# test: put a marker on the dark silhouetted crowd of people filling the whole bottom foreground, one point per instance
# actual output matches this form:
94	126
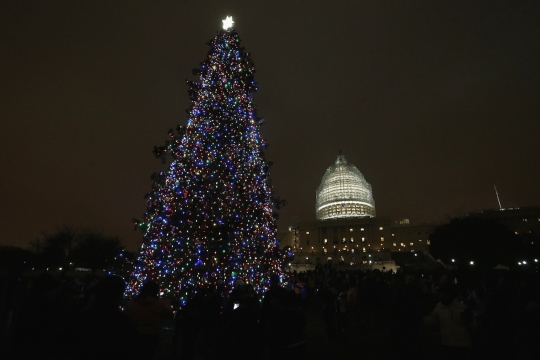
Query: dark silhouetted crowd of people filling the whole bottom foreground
477	315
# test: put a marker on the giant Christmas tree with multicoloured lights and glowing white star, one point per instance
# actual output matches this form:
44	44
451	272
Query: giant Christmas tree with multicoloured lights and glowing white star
210	217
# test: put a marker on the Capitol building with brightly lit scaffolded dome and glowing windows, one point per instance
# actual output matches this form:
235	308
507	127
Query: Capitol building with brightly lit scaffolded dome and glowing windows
346	229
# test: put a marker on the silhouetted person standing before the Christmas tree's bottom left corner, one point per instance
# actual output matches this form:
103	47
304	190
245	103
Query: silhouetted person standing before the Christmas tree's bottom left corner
150	314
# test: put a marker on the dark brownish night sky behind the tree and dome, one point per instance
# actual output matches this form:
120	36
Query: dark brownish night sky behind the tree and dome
433	101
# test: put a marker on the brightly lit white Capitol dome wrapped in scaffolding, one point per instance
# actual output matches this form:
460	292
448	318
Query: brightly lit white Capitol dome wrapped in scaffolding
344	193
